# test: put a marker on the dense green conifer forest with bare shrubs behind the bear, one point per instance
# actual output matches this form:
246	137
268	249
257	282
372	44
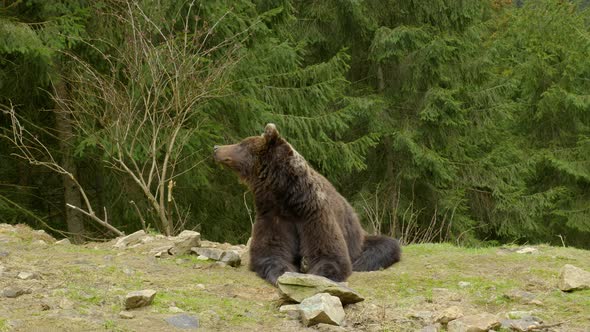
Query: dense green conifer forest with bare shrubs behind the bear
441	120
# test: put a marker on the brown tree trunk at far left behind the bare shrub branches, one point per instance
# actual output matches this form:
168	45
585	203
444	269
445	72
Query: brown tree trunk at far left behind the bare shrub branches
63	125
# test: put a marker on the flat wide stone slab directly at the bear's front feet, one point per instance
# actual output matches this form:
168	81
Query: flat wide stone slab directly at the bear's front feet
298	286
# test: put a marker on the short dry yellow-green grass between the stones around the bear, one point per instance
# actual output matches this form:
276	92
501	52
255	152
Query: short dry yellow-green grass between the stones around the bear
82	286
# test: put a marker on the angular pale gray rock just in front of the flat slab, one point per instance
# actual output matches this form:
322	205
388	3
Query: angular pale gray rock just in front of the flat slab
321	308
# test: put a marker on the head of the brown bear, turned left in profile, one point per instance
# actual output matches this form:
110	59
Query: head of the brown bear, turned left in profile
253	156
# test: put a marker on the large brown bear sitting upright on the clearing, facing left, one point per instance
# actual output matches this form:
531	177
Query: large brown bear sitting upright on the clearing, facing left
299	214
